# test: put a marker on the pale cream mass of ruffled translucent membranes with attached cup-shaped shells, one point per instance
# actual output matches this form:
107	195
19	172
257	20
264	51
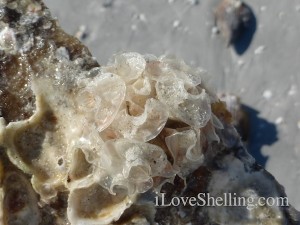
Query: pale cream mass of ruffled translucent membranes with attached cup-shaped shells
107	132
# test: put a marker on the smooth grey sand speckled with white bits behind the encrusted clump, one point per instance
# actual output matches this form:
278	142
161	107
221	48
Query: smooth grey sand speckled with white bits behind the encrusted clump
266	75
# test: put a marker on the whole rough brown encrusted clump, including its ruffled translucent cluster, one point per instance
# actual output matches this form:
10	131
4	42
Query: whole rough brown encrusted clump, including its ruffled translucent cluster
85	144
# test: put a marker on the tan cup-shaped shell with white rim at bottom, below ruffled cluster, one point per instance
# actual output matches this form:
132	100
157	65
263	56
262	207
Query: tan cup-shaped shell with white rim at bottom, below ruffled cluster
95	205
